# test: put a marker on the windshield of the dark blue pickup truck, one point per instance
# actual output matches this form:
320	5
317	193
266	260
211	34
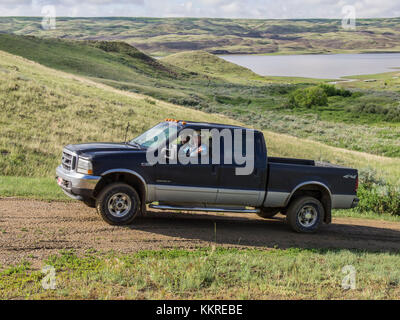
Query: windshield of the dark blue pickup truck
157	135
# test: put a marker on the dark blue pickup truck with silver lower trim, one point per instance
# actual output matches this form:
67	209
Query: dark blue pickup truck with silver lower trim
192	166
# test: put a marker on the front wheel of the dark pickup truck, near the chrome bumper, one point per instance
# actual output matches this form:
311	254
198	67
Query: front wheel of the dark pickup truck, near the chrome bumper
118	196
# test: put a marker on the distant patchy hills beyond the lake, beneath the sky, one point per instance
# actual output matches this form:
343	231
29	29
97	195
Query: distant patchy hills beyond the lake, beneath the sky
159	36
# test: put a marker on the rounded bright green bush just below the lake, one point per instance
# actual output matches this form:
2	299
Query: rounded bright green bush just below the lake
309	97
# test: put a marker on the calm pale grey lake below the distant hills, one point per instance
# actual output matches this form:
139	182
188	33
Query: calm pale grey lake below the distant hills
318	66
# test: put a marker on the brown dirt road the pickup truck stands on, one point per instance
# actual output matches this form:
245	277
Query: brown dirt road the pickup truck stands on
33	230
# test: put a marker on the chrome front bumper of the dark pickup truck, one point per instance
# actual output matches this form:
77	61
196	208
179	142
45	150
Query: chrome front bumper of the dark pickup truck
76	185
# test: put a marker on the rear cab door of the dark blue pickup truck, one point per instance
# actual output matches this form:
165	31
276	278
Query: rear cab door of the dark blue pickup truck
248	190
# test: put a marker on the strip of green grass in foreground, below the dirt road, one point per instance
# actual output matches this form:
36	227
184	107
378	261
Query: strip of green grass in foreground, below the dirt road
208	274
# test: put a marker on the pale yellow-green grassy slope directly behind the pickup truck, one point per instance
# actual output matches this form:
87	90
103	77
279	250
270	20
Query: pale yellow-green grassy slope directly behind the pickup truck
44	109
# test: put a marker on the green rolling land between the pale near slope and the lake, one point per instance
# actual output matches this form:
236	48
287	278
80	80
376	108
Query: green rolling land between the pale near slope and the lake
365	121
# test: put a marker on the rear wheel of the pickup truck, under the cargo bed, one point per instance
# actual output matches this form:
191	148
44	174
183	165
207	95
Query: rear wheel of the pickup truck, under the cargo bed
296	218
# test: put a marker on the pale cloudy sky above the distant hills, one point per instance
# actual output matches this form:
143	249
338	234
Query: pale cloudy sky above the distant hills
259	9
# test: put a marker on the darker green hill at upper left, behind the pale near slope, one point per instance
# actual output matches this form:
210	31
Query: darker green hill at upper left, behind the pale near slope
115	61
